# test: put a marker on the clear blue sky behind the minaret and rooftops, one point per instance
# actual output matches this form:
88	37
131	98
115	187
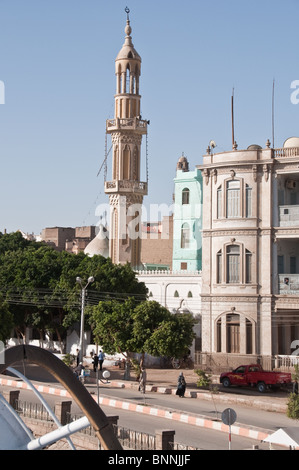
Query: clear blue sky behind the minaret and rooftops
57	65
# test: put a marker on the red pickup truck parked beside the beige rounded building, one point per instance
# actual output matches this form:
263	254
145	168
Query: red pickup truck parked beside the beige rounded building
254	375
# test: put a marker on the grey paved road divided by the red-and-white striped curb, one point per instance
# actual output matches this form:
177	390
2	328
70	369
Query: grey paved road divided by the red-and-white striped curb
187	434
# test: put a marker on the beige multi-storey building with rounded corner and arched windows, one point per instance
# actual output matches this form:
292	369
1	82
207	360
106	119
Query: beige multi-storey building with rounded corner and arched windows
250	278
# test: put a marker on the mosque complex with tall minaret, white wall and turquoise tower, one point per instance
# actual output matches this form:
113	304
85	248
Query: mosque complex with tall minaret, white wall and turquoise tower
160	261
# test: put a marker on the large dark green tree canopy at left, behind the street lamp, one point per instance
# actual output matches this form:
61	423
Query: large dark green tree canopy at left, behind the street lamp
39	283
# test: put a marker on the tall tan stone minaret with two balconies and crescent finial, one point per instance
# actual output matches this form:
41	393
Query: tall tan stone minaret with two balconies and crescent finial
126	191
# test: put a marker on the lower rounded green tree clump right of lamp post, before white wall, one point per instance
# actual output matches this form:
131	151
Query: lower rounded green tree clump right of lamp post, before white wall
143	328
